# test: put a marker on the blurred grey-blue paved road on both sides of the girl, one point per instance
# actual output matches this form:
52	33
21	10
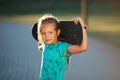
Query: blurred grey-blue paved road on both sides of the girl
20	58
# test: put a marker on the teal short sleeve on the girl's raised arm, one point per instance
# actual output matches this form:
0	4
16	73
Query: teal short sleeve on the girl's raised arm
63	48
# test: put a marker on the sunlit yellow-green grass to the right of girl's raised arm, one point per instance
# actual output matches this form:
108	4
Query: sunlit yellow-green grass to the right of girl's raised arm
106	28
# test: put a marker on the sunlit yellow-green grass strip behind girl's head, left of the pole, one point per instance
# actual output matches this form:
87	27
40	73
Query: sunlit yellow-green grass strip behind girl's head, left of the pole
30	19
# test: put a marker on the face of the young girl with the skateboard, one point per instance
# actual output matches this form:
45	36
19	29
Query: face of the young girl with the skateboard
49	33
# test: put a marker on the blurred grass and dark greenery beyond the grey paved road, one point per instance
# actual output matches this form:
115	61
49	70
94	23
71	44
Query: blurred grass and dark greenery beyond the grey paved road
103	16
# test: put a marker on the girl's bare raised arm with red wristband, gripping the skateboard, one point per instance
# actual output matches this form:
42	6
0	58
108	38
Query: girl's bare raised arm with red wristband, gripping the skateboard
73	49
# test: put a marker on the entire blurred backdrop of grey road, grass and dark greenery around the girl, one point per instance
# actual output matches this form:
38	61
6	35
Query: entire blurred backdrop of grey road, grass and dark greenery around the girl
20	57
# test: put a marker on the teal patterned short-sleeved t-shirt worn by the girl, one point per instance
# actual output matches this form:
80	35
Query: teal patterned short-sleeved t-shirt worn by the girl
54	62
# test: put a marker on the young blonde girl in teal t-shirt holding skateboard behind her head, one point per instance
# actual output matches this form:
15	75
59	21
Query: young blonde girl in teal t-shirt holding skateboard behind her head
55	53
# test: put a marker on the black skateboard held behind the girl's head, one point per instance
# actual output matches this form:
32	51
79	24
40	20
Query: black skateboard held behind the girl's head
70	32
